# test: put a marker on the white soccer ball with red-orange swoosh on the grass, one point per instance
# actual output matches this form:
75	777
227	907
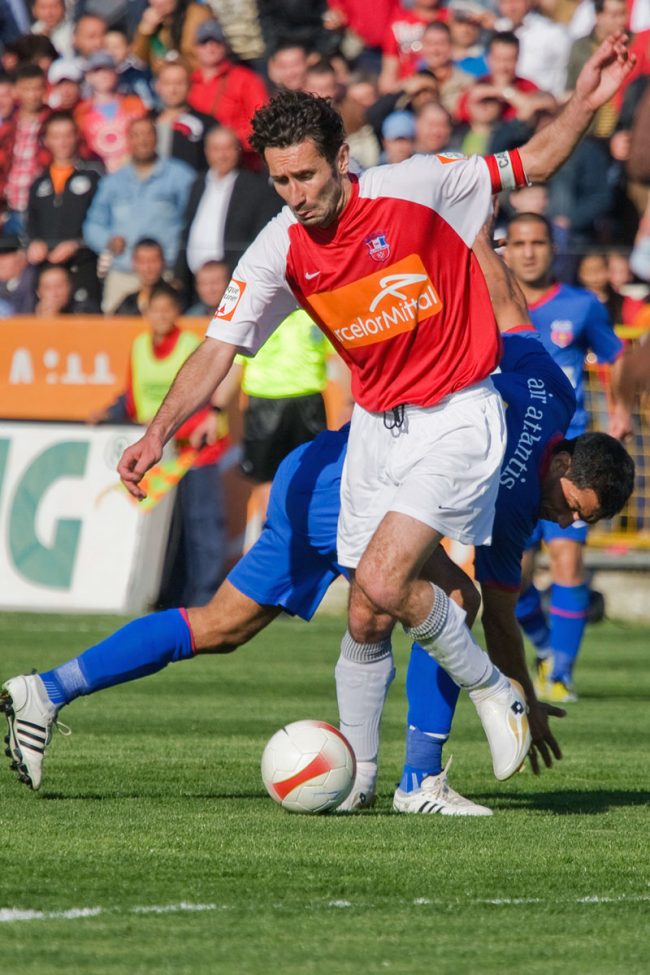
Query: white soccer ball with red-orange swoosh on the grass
308	766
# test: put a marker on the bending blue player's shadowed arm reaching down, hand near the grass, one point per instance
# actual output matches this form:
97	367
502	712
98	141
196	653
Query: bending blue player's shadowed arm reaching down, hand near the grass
506	649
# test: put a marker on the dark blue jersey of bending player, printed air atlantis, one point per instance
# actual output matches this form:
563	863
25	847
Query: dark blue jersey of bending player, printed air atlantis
539	402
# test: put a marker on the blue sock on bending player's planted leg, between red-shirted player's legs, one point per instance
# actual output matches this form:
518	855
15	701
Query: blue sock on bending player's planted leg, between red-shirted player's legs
432	697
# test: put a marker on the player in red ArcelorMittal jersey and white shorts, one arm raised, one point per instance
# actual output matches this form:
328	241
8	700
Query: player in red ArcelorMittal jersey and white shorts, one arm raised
383	264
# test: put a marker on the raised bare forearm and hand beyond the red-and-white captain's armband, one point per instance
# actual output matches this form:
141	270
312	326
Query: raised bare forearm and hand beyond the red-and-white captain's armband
601	77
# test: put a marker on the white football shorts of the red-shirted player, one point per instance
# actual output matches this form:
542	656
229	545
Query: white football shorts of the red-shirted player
441	466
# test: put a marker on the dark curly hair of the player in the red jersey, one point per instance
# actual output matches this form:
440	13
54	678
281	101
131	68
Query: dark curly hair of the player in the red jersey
293	116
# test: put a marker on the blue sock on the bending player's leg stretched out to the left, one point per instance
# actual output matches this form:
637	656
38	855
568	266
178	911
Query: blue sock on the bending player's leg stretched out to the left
140	648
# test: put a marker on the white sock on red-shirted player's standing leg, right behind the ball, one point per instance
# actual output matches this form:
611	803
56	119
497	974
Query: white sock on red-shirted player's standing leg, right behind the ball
361	690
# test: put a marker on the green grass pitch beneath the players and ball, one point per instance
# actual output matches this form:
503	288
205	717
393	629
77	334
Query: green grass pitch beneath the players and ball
157	801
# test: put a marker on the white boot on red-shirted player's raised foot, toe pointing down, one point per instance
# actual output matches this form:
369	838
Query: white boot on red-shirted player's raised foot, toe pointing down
504	715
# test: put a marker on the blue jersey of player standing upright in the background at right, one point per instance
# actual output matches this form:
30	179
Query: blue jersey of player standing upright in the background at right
571	322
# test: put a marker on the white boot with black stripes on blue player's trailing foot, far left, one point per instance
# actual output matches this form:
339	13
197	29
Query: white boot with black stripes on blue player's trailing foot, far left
31	716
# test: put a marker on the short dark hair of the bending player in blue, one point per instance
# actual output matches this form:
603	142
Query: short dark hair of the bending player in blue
602	463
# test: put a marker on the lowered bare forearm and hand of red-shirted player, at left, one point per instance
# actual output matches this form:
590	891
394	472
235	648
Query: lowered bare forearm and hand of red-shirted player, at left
194	385
